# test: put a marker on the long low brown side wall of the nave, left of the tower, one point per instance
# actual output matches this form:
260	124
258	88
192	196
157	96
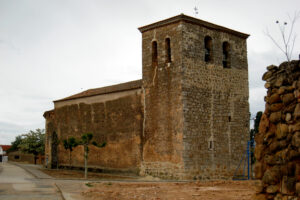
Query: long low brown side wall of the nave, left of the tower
118	122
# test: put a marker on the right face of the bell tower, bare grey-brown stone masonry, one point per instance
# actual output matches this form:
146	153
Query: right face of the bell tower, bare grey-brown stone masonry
216	109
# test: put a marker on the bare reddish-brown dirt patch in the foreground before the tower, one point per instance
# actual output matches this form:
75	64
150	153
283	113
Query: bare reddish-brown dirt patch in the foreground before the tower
214	190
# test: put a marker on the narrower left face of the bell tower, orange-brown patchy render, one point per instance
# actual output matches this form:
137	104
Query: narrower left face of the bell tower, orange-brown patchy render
162	141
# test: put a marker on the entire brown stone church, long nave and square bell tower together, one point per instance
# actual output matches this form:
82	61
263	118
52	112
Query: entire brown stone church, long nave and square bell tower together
187	118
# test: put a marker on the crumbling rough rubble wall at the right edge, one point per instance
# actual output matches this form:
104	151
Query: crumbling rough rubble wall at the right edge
278	141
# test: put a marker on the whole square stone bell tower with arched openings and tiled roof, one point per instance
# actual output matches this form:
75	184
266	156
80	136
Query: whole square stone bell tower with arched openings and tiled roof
195	93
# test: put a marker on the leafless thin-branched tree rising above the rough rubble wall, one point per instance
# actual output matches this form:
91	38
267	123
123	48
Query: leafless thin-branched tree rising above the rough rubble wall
288	36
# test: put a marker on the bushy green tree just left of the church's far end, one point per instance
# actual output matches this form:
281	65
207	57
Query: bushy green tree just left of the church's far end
33	142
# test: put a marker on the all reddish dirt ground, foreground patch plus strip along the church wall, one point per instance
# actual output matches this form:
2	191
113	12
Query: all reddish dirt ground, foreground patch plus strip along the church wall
117	187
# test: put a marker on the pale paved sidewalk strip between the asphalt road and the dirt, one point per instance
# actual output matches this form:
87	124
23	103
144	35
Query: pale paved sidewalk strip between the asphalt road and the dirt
69	189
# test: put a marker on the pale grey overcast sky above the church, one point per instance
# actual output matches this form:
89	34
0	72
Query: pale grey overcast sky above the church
50	49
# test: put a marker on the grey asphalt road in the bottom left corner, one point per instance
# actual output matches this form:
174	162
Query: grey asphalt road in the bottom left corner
16	183
